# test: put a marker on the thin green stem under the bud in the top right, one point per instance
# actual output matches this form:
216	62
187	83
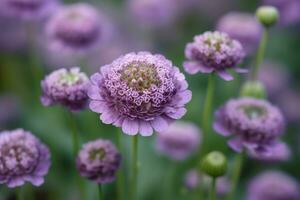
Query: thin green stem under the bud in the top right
260	53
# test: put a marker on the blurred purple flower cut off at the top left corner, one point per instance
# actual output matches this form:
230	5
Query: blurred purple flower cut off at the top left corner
27	9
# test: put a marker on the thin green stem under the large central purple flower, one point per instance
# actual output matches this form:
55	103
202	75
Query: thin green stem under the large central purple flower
134	168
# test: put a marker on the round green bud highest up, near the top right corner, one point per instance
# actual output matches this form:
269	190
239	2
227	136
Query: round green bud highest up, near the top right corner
267	15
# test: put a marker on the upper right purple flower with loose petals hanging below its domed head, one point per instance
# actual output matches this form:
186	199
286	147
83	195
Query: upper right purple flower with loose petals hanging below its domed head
213	52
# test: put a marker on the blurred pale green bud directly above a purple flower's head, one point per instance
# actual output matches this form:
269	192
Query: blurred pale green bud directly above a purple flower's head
254	89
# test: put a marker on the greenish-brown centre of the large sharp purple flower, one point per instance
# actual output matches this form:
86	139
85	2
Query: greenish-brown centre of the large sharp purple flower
140	76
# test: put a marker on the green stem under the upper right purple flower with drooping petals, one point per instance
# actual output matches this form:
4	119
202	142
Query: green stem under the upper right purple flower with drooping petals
206	117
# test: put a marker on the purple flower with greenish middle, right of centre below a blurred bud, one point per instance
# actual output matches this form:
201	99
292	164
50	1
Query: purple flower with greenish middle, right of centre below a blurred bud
255	124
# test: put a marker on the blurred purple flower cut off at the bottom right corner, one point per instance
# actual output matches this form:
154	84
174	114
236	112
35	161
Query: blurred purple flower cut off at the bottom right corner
273	185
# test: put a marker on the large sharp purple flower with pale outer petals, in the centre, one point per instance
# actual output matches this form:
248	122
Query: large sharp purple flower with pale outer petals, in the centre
139	92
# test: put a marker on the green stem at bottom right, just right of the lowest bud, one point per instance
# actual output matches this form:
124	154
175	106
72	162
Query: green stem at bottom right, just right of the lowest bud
237	168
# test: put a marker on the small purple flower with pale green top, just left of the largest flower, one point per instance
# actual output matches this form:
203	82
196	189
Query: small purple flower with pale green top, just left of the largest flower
65	87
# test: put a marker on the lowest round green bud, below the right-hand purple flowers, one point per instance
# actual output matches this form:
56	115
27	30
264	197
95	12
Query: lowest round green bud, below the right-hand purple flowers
214	164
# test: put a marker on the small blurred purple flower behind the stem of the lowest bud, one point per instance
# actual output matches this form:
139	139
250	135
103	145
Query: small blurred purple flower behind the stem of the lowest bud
193	178
